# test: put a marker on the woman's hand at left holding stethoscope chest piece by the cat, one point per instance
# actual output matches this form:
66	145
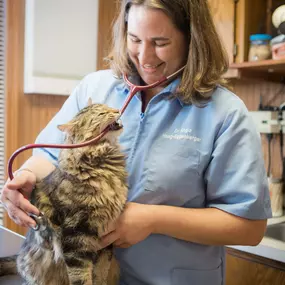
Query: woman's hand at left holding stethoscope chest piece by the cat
15	195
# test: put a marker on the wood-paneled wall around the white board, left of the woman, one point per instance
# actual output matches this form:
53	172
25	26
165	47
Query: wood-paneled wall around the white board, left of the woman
26	115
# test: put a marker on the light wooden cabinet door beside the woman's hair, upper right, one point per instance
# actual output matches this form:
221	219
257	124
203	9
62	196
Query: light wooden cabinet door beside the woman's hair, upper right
223	15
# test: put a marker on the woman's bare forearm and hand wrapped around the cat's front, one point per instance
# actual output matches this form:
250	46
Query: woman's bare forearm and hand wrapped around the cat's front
209	226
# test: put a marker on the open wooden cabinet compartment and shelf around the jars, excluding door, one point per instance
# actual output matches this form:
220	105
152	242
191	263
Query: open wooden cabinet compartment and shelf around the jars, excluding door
254	16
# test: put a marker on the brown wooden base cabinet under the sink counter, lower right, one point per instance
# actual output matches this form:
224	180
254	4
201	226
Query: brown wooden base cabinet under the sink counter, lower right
248	269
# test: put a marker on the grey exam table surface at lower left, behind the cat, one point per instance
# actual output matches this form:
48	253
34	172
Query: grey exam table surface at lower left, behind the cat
10	244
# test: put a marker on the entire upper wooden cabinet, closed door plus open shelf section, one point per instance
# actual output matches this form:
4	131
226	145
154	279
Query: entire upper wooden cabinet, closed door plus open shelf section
235	21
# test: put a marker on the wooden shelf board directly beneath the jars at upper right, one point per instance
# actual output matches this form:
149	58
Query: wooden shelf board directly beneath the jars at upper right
271	70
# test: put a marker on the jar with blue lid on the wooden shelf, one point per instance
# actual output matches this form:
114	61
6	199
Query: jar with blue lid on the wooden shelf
259	47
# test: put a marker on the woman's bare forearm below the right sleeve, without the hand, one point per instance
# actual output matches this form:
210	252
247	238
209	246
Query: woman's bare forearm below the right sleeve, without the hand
207	226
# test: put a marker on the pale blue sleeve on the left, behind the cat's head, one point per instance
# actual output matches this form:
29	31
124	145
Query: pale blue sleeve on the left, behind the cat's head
51	134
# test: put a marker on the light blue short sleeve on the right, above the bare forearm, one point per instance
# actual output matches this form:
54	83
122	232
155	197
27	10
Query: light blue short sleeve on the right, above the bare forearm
236	179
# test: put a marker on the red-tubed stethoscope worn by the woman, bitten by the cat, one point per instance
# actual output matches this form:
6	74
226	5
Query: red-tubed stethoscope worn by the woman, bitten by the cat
133	90
